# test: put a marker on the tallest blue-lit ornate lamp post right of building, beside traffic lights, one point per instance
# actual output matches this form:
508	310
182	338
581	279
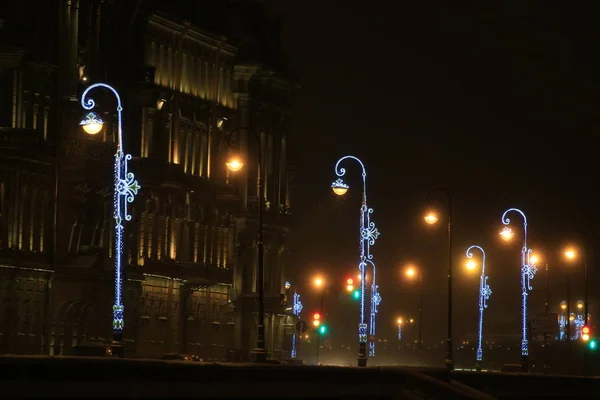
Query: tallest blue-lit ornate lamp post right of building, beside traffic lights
368	233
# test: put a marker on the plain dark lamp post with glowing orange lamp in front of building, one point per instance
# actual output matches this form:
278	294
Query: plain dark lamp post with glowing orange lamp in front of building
235	165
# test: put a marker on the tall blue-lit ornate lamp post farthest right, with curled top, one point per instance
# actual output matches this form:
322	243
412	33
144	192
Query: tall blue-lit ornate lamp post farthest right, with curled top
528	270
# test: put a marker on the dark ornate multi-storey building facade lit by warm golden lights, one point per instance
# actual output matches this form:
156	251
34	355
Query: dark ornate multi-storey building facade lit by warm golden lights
191	99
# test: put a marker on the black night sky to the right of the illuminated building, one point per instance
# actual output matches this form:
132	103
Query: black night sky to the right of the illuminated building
494	102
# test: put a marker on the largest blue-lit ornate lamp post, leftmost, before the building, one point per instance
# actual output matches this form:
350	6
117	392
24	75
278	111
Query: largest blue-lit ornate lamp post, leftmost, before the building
125	189
